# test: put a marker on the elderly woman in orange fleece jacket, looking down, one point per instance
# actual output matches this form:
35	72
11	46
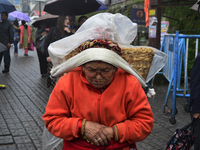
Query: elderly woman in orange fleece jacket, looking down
99	106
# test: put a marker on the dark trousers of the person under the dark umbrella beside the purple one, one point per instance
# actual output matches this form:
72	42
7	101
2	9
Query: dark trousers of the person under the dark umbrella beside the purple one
42	62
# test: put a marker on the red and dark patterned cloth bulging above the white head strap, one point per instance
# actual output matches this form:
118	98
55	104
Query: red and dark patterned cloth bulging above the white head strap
102	43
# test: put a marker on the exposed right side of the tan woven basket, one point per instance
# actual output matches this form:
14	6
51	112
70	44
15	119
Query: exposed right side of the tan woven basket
139	58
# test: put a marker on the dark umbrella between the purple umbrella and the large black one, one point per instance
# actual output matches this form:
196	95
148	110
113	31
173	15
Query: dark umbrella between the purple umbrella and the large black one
48	19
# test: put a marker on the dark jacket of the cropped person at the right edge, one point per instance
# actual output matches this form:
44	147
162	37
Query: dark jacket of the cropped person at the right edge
194	104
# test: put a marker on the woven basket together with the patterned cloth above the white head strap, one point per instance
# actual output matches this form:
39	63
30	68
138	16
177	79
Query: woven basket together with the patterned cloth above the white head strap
139	58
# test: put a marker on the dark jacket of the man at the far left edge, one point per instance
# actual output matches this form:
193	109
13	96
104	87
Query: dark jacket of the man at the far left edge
6	33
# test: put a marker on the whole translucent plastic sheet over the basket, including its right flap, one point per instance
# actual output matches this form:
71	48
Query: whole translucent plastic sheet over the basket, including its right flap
115	27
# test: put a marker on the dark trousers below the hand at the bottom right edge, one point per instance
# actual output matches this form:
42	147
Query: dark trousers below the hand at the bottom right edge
197	134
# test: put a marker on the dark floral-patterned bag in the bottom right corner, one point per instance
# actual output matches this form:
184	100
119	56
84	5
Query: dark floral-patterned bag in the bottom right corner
182	139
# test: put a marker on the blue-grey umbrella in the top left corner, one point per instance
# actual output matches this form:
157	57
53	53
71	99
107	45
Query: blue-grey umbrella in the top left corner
5	5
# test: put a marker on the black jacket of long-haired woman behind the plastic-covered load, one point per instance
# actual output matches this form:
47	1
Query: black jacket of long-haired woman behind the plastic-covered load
53	35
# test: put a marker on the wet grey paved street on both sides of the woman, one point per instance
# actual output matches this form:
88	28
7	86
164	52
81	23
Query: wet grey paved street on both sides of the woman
23	102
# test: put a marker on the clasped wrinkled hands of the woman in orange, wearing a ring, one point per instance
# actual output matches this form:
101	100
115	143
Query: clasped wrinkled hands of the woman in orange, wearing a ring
98	134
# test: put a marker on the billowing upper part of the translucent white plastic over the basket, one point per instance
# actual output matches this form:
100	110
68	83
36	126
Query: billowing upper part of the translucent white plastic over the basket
115	27
